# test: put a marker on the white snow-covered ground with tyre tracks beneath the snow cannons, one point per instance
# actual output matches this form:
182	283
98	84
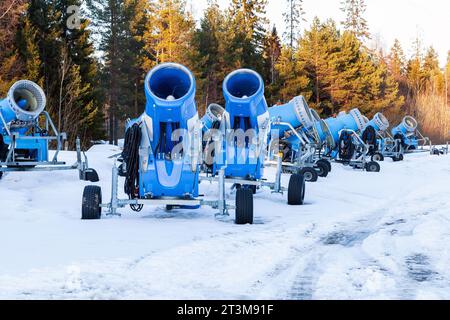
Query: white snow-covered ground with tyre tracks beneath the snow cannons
360	236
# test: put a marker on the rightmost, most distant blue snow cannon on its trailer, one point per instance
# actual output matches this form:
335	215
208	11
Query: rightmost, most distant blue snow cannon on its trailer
408	133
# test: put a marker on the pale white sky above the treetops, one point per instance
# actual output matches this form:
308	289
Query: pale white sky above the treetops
388	19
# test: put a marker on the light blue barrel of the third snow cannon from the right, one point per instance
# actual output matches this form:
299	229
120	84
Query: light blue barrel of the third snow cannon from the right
331	127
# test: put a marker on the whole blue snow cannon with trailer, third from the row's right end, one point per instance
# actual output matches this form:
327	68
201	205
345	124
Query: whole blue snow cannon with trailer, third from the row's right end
344	143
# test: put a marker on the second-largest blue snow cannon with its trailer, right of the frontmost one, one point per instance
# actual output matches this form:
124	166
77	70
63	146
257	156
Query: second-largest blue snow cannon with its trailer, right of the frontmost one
240	140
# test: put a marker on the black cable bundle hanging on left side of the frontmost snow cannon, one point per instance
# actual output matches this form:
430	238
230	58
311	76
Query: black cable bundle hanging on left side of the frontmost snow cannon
130	156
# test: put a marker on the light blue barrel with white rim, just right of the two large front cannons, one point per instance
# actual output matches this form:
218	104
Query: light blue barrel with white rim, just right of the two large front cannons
296	113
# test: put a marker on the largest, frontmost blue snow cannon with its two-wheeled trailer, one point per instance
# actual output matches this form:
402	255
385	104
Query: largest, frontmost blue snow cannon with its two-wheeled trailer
162	153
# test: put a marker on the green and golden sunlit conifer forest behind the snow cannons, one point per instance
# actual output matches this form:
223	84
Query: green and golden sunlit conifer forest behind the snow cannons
93	74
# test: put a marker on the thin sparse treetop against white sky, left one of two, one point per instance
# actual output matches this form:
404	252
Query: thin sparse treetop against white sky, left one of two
293	17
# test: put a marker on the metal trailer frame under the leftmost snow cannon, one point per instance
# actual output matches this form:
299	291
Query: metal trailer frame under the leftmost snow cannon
12	165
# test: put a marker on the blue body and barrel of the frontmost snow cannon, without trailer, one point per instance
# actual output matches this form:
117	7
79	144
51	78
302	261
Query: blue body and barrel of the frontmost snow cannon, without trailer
171	122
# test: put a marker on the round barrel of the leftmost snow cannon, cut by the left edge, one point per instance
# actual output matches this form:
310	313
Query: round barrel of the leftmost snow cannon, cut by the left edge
25	101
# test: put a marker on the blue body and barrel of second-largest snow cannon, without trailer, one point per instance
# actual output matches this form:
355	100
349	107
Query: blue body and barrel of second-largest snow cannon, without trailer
248	114
